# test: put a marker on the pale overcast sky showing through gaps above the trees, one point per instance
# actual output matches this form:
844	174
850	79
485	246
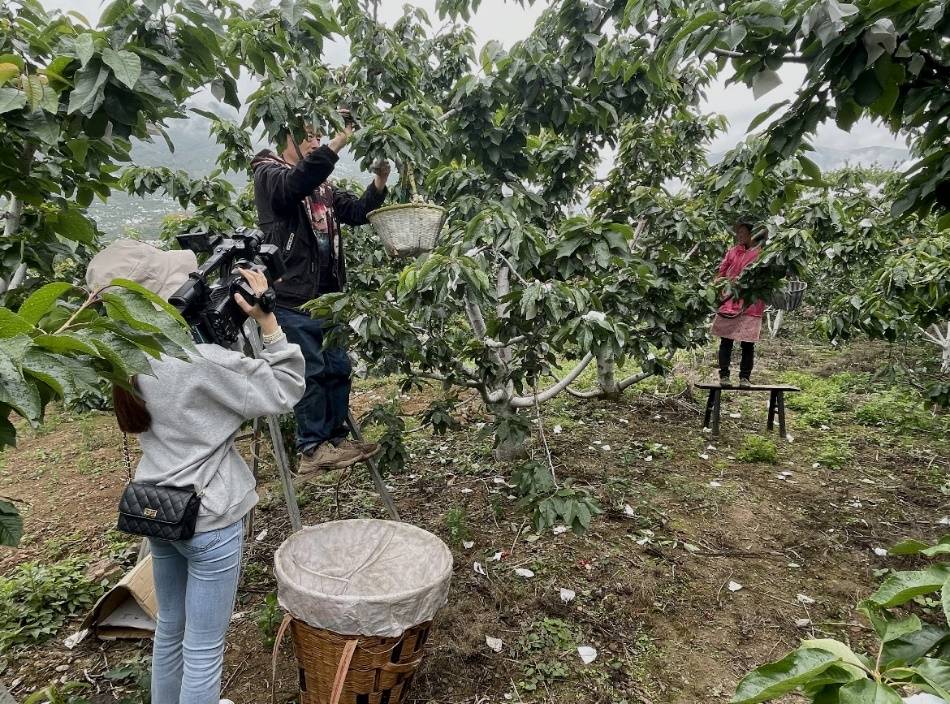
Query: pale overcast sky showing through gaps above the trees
507	22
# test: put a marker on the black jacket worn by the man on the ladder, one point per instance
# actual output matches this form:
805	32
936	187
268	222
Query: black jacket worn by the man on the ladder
282	194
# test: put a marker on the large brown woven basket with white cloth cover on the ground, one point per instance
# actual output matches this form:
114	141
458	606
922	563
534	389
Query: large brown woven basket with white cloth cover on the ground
361	595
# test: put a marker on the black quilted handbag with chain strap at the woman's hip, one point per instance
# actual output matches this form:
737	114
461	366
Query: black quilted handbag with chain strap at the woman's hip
154	511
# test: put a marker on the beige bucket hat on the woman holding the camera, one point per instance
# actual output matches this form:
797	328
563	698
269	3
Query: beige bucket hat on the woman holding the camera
157	270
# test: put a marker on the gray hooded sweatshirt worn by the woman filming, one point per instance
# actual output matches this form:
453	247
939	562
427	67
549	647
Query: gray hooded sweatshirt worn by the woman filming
197	408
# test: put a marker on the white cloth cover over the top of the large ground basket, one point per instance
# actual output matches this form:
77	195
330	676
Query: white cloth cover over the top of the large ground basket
363	576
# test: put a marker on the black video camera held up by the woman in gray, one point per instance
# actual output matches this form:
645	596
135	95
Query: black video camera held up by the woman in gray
209	308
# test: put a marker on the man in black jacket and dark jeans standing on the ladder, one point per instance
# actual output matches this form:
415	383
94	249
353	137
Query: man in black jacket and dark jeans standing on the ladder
300	211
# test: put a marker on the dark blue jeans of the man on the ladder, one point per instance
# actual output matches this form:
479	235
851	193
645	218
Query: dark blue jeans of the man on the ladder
321	413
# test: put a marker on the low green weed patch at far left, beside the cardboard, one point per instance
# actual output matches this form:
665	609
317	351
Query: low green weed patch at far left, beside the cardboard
36	600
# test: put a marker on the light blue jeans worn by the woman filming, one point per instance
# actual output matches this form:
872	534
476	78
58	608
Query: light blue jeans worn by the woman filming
196	582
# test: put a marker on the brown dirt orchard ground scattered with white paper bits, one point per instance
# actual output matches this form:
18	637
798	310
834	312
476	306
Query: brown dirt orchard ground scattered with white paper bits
701	568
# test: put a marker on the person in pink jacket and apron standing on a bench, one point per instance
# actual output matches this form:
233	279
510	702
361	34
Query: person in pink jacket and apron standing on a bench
734	320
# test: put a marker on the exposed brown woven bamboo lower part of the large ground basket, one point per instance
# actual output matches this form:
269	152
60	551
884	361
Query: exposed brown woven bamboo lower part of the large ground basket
356	670
